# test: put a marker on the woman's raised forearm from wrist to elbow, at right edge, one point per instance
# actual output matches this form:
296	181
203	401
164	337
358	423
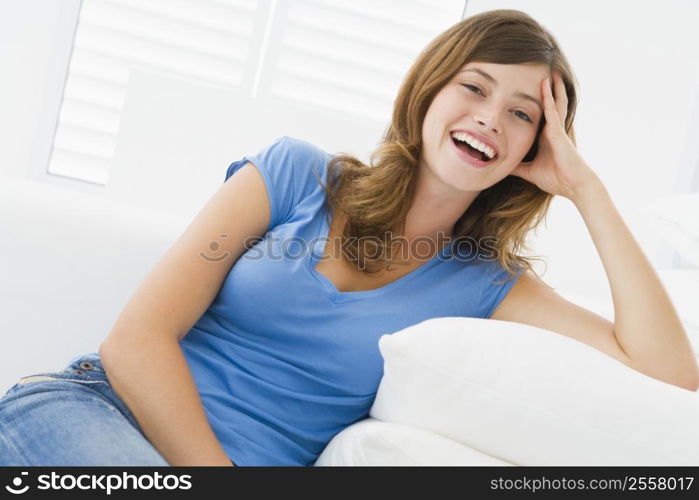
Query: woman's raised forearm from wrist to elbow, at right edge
645	321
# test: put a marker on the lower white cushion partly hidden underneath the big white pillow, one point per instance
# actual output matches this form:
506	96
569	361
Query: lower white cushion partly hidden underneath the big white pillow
371	442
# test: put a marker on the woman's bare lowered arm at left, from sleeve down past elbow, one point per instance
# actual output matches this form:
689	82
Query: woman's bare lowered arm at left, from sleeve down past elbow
142	356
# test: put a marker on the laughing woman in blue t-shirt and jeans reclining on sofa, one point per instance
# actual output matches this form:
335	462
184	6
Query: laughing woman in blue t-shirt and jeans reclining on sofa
264	361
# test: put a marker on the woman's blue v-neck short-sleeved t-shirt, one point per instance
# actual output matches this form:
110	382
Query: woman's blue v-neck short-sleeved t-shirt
282	360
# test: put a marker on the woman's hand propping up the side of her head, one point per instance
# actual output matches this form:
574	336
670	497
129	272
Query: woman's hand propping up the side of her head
557	167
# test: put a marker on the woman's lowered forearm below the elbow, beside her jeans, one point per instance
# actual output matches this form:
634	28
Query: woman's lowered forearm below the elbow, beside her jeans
151	375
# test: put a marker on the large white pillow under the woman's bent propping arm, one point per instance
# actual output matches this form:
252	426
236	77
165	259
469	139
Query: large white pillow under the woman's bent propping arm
530	396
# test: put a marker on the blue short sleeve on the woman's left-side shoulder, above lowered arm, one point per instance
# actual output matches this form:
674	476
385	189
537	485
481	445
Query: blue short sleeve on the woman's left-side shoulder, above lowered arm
287	167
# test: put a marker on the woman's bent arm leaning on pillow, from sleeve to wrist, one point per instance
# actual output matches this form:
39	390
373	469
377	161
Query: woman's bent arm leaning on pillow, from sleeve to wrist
647	335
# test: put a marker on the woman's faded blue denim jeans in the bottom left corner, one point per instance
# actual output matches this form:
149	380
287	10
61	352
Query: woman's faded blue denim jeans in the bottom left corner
72	417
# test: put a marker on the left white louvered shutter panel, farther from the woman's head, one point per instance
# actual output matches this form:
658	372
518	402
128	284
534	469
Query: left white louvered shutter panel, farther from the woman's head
203	40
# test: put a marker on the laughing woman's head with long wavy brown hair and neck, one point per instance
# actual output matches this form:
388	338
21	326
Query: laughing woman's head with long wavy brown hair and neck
478	82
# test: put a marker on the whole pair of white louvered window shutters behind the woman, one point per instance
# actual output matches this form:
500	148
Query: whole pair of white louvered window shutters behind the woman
344	56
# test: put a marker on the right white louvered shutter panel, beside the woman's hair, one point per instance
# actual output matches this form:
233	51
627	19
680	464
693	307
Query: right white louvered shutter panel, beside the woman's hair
352	56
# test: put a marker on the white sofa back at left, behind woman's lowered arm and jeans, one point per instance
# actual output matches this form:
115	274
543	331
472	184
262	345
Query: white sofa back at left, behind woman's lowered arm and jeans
69	262
